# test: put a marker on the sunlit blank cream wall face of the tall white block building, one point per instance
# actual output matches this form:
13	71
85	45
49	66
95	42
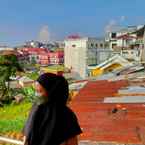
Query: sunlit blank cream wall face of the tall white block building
75	55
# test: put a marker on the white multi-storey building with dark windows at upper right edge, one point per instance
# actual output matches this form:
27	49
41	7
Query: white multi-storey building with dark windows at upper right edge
128	42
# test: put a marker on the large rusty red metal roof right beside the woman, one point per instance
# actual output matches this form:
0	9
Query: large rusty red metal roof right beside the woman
98	121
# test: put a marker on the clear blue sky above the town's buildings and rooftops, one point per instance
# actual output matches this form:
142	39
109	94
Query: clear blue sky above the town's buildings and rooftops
22	20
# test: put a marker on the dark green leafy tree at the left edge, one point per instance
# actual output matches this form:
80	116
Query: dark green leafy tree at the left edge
8	67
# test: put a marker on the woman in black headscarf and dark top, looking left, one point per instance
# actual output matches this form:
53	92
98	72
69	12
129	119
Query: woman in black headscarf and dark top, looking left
50	121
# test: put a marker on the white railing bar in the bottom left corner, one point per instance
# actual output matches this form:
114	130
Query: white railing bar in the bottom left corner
11	141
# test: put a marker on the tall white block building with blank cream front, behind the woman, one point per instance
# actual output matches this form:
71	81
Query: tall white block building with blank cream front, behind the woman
81	52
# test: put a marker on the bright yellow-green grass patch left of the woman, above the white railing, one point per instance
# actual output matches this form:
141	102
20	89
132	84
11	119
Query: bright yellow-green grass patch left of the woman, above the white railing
13	117
